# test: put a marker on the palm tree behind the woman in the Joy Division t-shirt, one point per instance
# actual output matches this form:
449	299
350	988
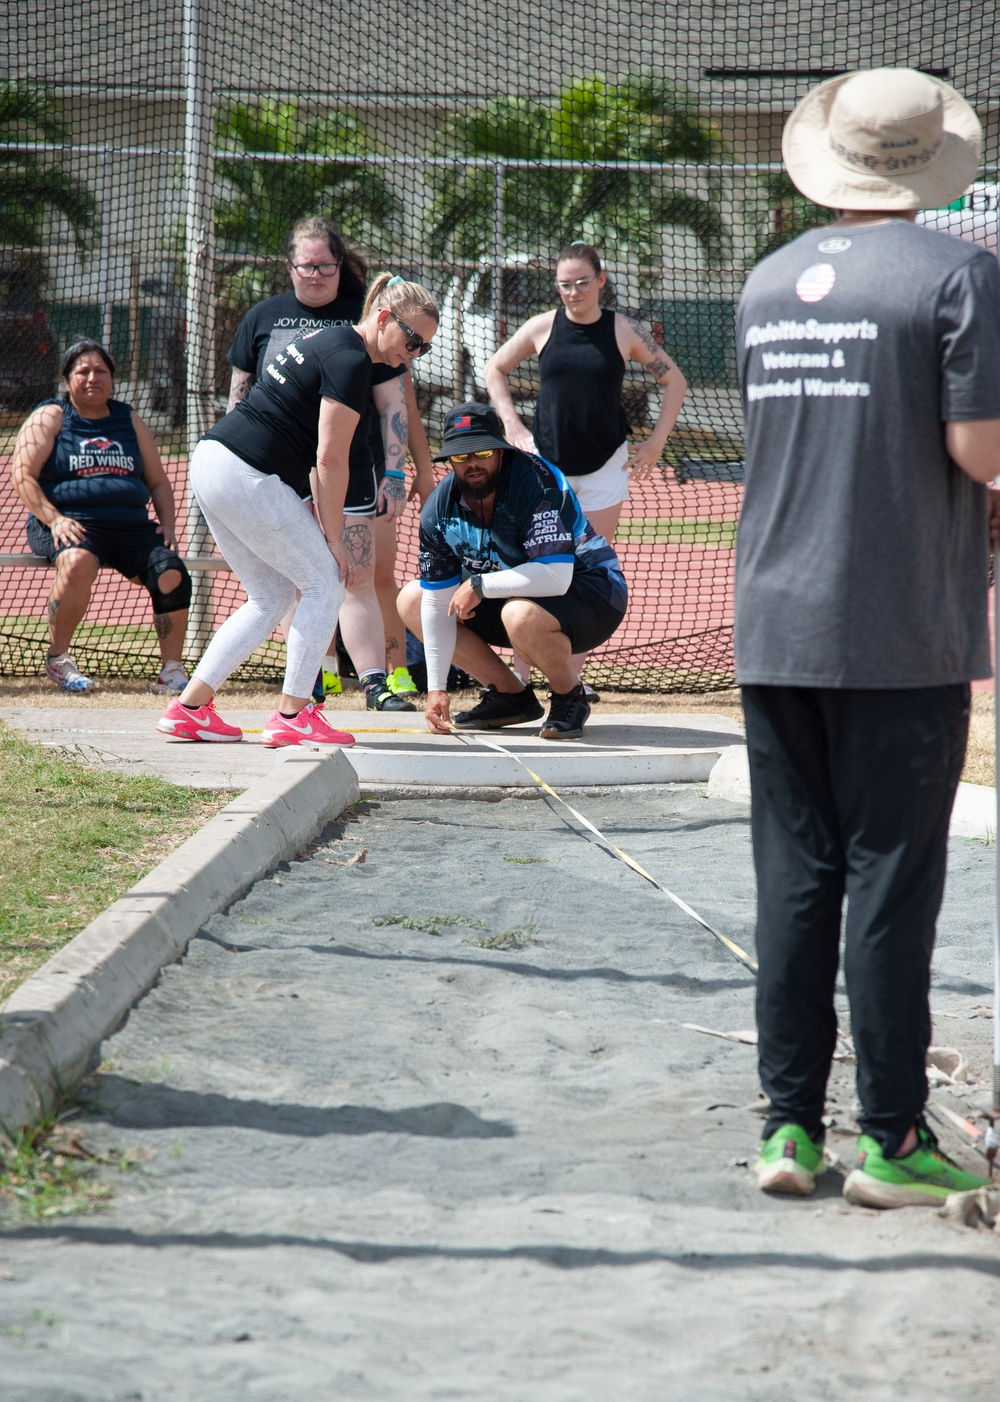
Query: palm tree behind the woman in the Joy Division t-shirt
266	198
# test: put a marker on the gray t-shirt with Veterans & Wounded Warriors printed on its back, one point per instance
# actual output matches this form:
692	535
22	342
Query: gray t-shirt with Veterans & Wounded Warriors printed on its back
862	557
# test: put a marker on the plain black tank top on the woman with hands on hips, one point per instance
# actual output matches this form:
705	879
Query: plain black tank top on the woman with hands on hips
580	420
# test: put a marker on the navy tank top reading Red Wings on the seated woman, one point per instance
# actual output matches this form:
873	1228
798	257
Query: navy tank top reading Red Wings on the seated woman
96	469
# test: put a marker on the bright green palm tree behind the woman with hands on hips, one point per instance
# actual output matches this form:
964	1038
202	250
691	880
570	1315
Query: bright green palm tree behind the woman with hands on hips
644	118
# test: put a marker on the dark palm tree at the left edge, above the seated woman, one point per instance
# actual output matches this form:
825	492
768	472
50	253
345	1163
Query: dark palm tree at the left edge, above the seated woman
34	184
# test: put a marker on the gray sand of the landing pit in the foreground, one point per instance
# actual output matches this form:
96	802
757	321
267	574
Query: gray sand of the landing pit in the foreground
392	1164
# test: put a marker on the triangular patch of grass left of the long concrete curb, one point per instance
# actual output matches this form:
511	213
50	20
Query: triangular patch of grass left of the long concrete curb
74	839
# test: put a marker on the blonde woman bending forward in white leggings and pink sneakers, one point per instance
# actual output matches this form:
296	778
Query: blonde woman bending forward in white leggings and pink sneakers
253	475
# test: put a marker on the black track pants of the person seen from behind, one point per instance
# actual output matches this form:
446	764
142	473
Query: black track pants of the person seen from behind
852	794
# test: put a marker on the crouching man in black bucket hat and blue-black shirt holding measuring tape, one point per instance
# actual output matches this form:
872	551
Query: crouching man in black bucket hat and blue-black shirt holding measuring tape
508	560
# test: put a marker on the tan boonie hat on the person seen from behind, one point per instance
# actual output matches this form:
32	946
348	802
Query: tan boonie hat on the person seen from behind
883	139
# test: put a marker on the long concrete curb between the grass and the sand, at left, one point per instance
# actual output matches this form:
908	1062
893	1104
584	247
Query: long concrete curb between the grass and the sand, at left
55	1019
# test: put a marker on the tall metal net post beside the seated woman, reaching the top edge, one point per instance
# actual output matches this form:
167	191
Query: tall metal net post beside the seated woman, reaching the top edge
200	308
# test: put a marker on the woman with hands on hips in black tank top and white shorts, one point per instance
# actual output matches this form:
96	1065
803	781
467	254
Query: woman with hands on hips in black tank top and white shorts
580	418
